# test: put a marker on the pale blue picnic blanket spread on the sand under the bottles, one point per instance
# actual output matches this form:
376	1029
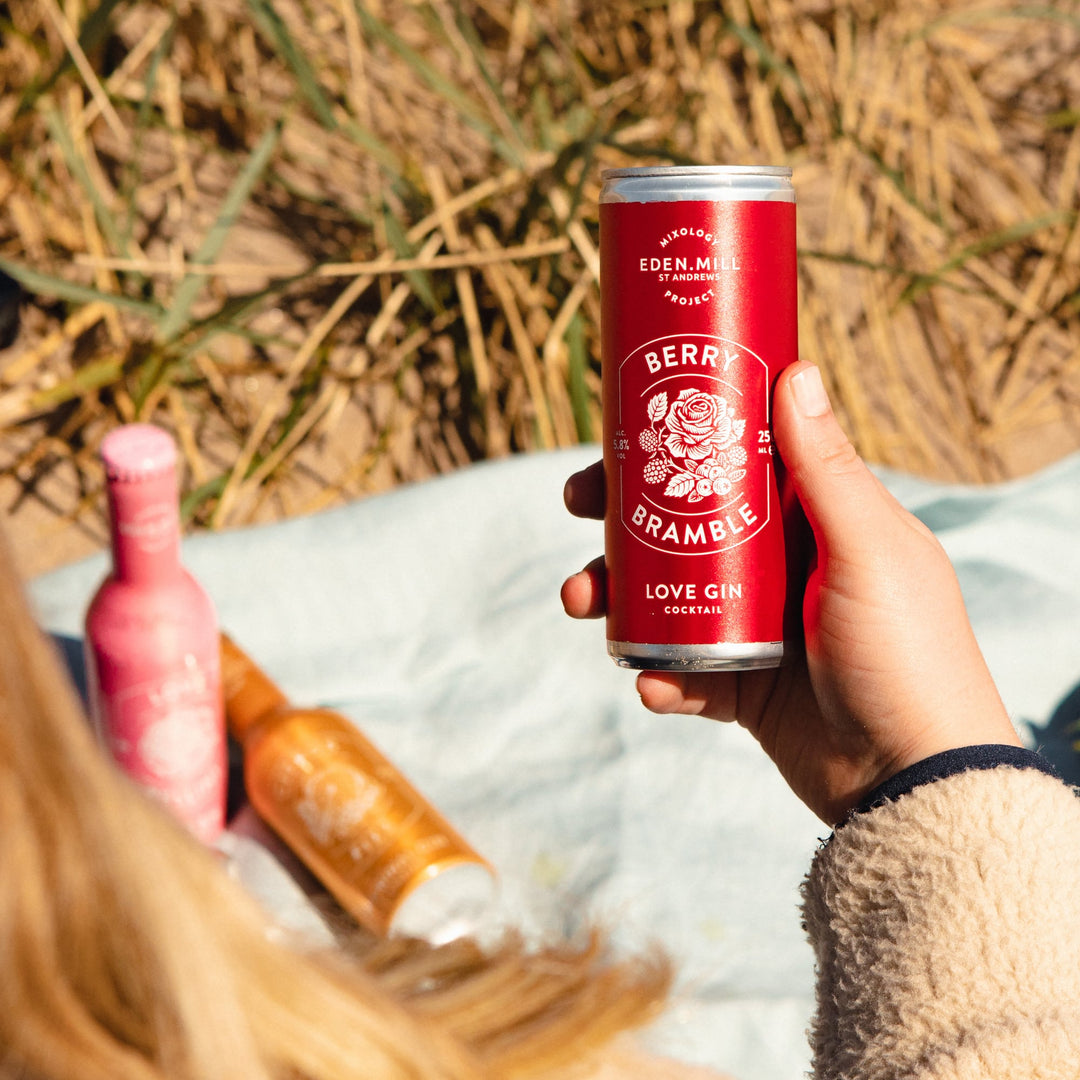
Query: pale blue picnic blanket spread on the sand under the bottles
431	616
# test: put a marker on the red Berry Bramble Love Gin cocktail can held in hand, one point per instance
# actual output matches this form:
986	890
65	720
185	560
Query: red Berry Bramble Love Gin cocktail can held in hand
704	541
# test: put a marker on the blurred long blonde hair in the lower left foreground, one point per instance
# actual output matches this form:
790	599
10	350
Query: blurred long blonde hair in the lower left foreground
128	954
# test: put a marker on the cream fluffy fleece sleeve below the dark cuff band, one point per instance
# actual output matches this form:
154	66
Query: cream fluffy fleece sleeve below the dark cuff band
947	927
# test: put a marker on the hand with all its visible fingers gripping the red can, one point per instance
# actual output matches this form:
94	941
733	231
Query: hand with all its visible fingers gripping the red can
892	672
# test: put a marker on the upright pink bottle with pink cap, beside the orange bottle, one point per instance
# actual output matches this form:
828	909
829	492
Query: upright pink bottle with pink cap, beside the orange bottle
153	654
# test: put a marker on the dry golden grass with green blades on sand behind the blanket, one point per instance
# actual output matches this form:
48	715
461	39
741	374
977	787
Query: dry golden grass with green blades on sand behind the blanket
339	246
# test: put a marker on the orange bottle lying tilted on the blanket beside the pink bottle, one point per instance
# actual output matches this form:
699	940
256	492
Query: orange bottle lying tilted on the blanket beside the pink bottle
387	856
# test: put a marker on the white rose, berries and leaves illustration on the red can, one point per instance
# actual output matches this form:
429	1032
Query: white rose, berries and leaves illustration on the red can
694	444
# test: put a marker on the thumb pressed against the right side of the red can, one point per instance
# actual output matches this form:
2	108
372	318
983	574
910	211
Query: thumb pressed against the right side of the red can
842	498
